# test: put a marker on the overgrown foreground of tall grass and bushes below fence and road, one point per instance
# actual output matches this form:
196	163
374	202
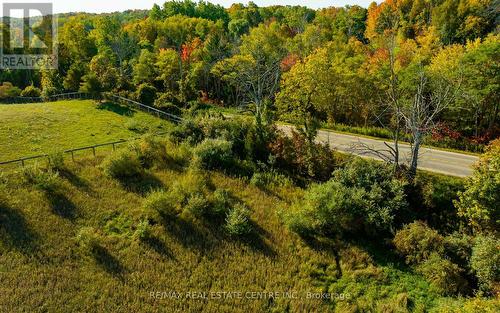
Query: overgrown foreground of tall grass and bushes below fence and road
202	212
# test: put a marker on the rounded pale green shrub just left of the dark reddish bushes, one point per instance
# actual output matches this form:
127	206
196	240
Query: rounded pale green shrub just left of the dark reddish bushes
213	154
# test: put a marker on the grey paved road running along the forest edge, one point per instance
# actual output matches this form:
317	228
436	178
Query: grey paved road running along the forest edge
438	161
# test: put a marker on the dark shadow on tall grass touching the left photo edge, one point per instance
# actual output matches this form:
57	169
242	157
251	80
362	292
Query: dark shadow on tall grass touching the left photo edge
15	231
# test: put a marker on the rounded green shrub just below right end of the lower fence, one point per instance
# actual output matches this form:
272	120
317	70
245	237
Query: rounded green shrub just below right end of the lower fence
123	165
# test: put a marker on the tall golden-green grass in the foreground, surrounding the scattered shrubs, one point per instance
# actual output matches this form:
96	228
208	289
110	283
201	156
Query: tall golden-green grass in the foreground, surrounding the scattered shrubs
42	267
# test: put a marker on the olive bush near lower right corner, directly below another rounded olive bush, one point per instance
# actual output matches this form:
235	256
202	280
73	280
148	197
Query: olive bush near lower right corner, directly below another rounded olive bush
444	275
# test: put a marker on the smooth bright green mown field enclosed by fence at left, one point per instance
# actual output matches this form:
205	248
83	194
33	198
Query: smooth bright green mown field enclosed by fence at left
32	129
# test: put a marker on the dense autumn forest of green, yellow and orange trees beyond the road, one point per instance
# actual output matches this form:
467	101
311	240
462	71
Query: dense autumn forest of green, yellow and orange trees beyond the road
352	66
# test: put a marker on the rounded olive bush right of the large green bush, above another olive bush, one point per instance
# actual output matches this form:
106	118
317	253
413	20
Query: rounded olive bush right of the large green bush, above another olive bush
416	242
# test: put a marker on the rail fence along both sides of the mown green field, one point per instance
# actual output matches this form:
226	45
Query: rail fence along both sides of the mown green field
95	96
